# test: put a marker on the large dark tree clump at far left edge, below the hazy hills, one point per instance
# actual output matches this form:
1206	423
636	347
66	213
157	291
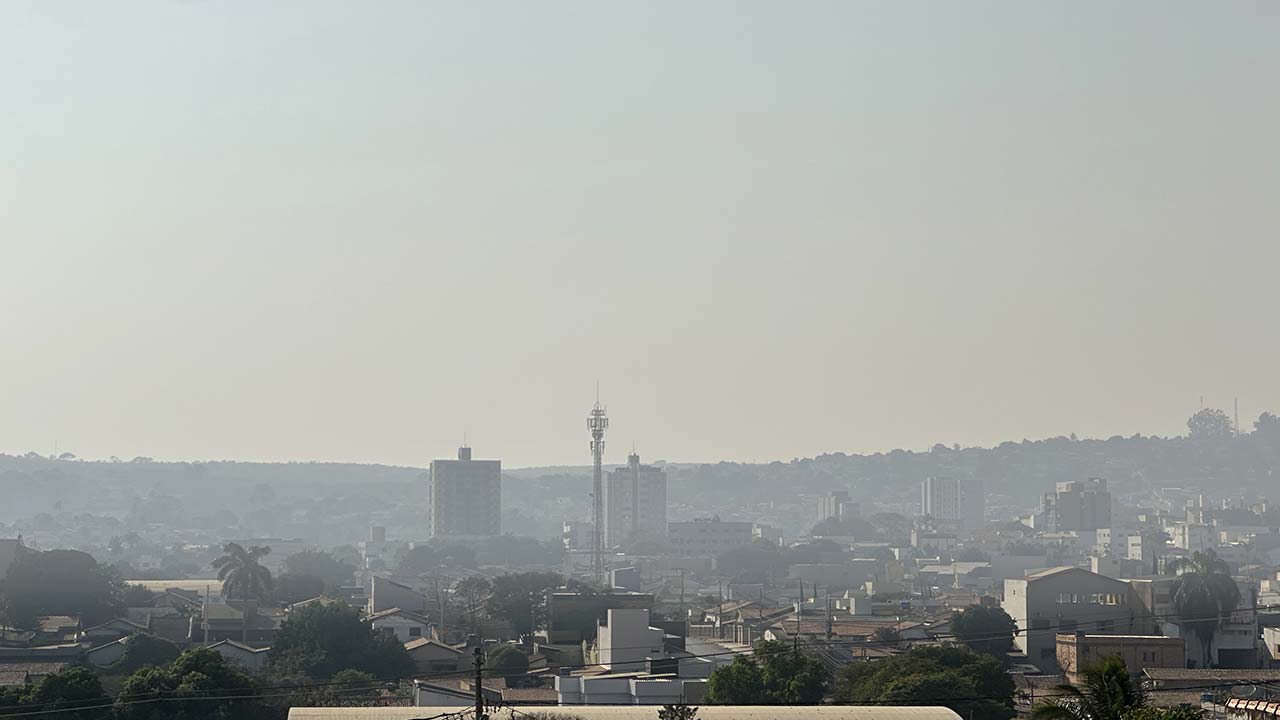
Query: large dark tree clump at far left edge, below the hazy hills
61	582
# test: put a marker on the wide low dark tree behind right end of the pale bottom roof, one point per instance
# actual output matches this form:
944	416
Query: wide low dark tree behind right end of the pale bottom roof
970	683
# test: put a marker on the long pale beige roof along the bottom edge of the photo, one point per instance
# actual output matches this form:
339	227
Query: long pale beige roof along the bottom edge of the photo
638	713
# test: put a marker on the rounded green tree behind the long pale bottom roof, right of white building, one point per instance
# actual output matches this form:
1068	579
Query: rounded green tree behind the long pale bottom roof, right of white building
775	675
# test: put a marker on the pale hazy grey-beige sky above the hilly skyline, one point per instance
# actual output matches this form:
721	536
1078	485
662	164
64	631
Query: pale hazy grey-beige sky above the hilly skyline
355	231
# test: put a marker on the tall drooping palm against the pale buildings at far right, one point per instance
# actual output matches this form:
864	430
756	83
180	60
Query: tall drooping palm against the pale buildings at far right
1204	598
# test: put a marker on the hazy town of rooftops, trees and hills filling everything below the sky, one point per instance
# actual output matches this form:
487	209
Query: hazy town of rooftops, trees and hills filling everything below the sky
674	591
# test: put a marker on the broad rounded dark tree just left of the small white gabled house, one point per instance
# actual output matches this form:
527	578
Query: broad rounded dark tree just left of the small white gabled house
323	640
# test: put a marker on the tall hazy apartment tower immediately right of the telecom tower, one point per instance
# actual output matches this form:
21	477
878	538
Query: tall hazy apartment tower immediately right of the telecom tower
636	503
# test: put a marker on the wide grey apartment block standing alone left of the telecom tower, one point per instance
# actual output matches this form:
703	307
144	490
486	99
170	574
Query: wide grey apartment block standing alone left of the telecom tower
467	496
